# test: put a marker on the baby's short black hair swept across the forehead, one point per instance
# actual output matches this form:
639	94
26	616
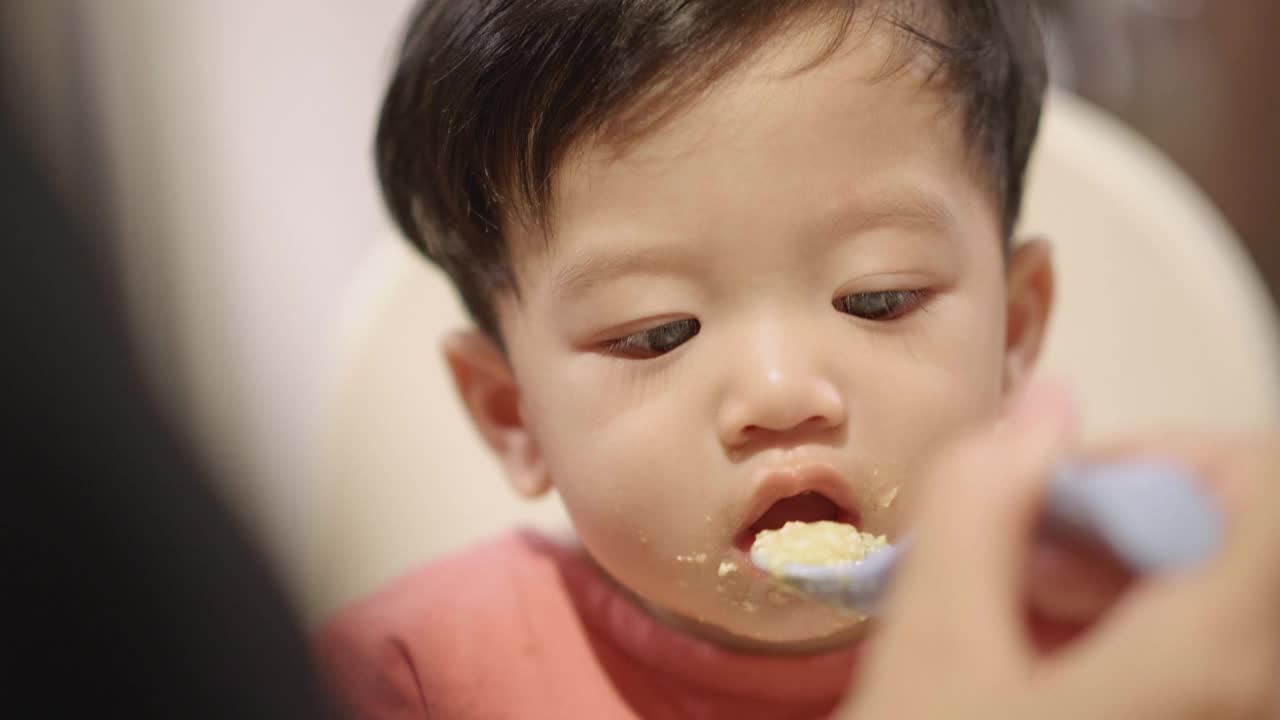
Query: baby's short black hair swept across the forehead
490	95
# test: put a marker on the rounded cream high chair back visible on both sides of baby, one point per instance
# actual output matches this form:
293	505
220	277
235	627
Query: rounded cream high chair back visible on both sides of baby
1160	321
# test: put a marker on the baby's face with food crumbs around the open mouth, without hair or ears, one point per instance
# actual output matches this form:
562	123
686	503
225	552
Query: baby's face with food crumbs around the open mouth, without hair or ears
772	309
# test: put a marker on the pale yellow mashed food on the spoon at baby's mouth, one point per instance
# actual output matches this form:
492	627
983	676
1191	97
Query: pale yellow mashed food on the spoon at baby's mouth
813	544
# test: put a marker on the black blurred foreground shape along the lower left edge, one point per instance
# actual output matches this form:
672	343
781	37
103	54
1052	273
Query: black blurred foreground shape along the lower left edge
129	589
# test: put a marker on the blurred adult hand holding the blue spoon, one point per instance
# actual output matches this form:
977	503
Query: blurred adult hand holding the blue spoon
1204	644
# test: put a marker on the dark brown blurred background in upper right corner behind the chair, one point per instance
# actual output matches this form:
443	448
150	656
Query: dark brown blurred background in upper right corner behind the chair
1197	79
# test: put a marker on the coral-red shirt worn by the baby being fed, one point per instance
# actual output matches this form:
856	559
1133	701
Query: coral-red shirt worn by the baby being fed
523	627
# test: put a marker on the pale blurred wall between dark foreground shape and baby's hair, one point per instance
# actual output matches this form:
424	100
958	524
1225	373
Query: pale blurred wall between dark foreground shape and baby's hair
235	138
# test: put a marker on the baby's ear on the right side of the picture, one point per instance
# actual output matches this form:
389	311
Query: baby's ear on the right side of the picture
1031	299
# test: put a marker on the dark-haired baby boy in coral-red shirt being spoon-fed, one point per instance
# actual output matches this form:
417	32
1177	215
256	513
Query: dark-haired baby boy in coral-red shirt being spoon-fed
732	266
